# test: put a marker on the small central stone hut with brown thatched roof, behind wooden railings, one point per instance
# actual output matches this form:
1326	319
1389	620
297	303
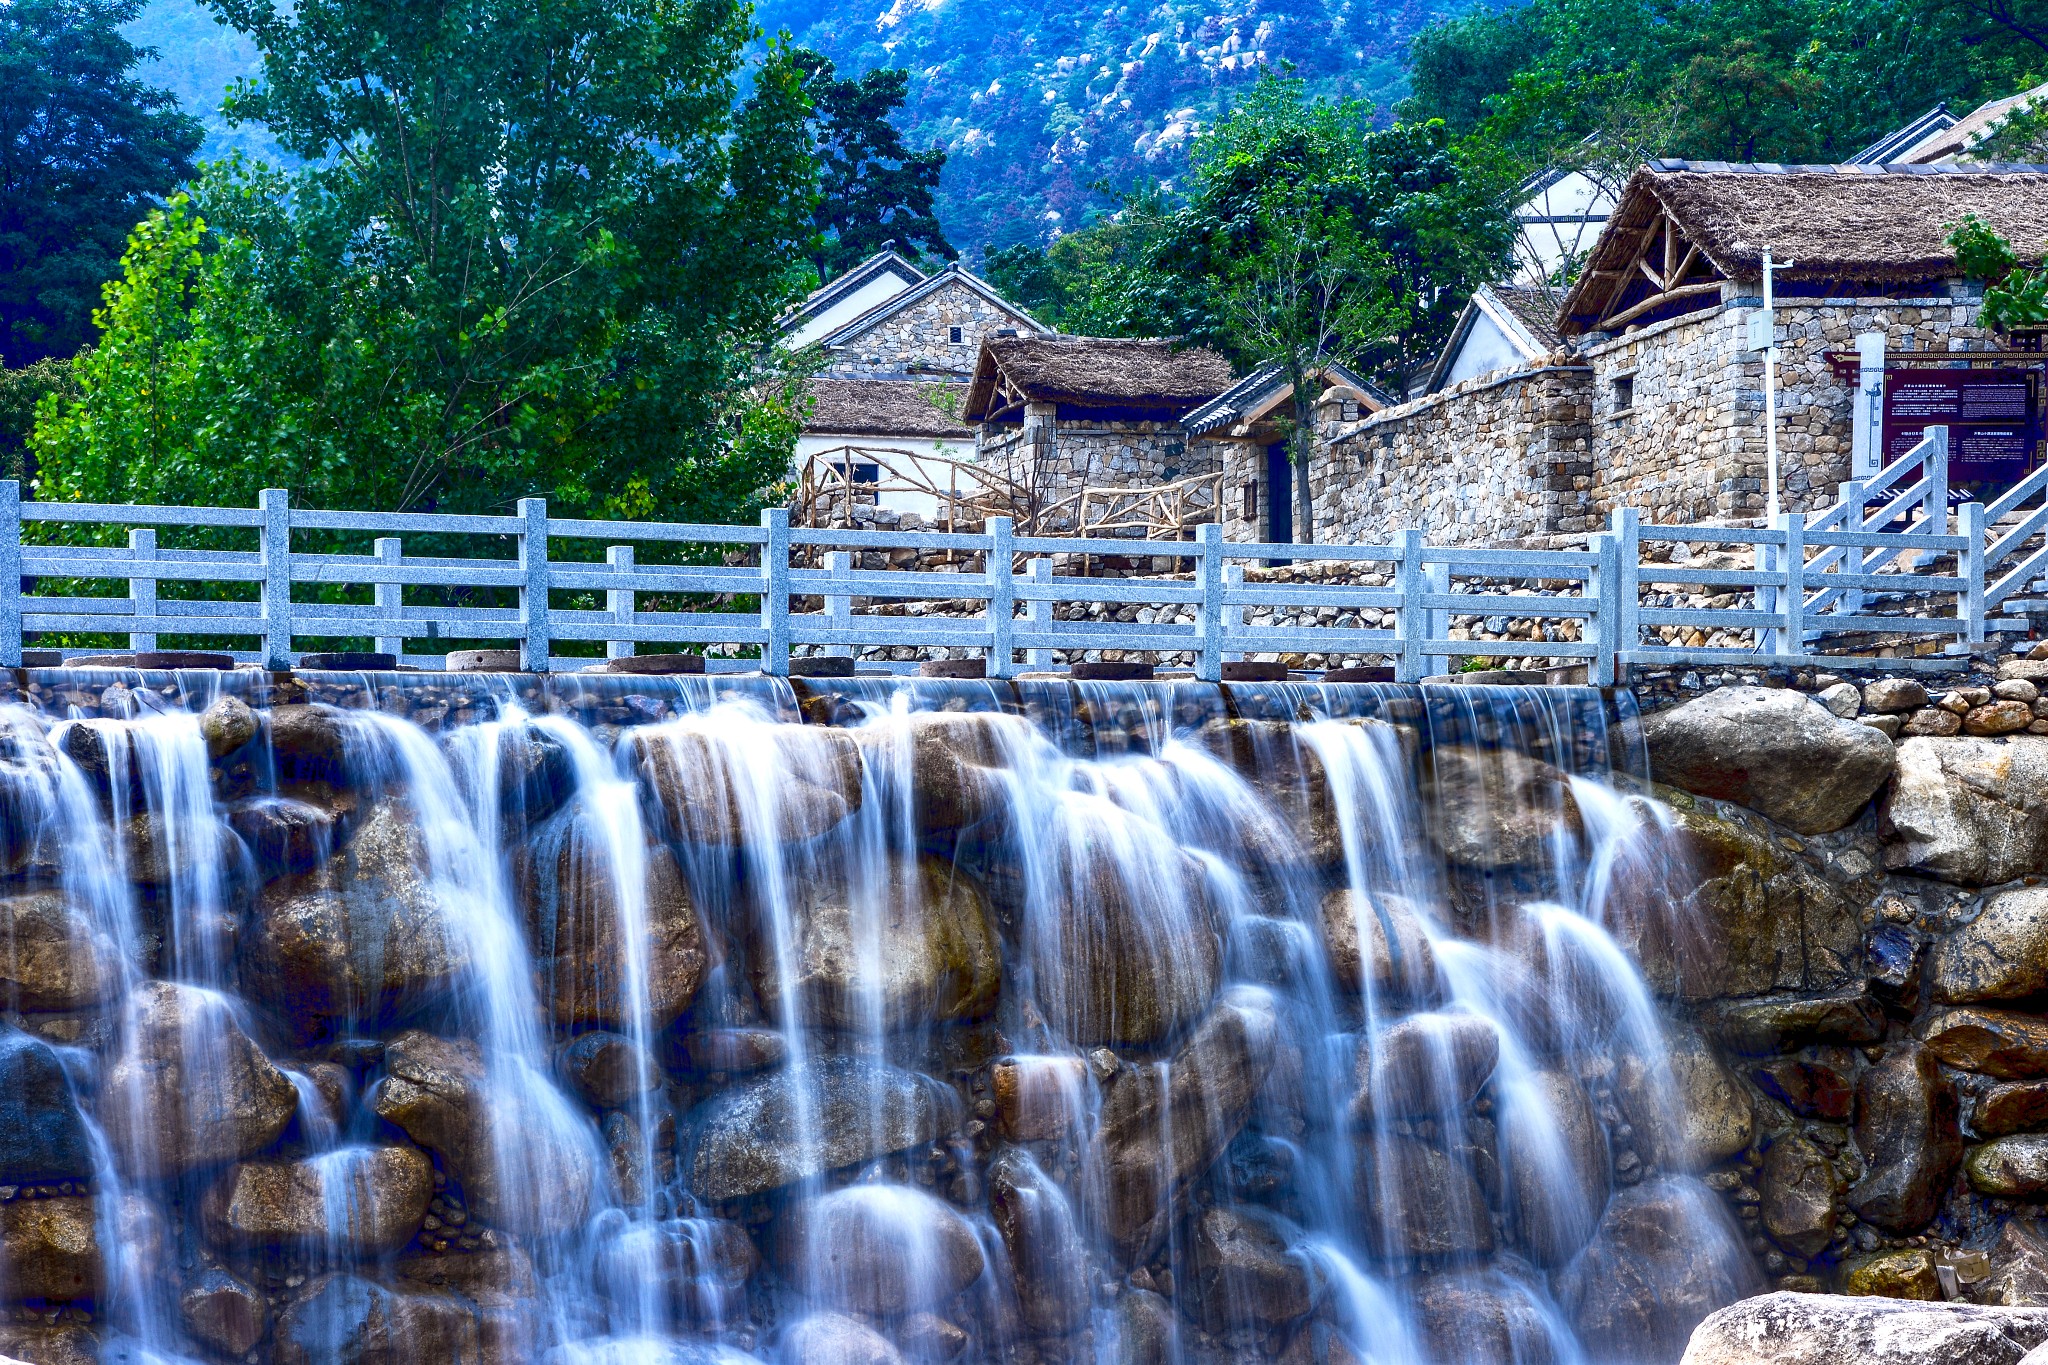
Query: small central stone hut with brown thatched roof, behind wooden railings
1060	414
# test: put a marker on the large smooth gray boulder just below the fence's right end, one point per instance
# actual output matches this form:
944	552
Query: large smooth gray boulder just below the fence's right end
1773	750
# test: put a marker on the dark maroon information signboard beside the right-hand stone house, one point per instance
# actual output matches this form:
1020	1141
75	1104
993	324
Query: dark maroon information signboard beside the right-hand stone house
1992	419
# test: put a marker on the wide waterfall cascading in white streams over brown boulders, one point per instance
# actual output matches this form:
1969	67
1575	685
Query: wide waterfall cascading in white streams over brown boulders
613	1022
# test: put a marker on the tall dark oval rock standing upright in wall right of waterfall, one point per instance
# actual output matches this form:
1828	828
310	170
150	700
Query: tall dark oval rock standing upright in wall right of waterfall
1908	1133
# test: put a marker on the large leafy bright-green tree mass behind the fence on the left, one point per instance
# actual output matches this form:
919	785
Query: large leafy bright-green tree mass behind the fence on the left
536	251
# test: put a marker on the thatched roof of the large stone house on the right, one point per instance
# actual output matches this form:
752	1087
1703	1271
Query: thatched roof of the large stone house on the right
1875	224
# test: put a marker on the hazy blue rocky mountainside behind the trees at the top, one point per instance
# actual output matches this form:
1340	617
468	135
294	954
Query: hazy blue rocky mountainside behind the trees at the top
1043	107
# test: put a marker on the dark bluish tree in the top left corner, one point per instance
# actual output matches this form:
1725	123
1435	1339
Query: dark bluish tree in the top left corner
85	150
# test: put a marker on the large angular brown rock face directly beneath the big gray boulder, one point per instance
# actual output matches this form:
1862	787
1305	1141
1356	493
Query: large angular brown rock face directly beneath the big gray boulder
1764	920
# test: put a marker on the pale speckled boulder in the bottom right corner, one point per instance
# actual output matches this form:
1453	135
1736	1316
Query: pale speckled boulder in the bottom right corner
1826	1329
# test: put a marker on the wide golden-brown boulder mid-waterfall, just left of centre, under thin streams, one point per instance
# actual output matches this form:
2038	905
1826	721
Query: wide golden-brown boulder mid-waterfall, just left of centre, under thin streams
919	951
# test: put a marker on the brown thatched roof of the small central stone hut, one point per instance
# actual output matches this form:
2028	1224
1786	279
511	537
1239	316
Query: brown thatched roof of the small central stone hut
1097	373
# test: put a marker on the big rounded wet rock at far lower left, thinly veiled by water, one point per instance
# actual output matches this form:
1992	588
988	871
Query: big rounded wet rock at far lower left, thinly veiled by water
189	1088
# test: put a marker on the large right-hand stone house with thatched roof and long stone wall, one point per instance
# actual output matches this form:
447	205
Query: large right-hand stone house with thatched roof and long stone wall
1652	396
